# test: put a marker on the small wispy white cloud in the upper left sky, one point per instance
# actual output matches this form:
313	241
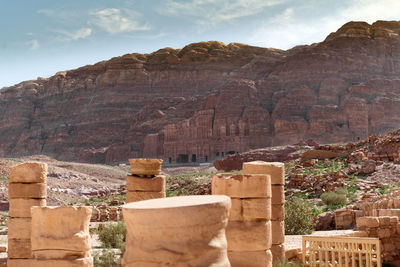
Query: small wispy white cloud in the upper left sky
113	21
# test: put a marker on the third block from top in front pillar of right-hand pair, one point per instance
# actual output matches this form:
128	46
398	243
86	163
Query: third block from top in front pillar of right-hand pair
249	236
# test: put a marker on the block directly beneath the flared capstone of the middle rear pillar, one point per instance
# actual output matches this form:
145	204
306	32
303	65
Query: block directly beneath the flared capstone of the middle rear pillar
155	184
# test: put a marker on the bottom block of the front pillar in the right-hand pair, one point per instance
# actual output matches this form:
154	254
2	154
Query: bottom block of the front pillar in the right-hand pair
261	258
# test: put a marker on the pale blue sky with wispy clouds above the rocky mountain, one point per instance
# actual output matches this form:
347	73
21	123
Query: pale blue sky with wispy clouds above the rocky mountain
41	37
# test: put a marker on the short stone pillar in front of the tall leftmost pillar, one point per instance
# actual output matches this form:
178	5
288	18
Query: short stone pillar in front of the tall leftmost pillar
60	236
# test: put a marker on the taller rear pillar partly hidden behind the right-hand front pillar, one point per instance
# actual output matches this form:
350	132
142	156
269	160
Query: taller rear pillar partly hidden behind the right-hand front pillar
277	172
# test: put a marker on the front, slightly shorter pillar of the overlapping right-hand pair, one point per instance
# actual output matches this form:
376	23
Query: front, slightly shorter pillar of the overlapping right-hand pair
249	229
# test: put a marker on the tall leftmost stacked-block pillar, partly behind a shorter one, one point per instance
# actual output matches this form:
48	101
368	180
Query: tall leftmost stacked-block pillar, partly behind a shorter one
27	188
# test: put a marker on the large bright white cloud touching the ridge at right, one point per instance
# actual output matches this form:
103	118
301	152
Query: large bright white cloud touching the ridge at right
286	30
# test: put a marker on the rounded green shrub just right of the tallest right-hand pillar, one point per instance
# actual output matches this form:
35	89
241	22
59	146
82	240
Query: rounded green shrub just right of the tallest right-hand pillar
299	217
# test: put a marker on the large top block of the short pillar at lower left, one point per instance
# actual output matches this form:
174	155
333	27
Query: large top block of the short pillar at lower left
63	228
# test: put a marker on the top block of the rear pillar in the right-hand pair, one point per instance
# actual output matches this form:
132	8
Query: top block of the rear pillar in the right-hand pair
275	169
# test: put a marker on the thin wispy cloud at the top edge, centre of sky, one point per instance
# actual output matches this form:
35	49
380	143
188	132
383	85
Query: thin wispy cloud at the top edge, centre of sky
213	12
